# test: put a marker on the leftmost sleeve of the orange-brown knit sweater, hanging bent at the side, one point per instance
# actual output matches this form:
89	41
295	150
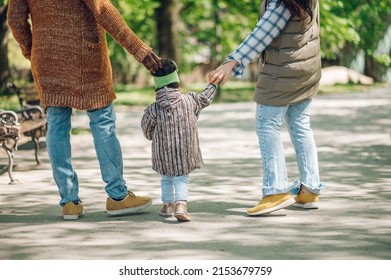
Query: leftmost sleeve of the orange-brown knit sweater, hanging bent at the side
17	19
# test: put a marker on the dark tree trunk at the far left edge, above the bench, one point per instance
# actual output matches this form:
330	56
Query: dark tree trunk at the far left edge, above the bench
5	73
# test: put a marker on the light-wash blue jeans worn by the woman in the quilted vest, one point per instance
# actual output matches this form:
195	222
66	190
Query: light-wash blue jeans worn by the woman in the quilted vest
268	123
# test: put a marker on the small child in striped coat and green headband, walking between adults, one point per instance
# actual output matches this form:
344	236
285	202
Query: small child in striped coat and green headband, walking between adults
171	124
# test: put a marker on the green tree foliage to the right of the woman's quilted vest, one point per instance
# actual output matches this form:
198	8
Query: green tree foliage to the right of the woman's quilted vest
357	22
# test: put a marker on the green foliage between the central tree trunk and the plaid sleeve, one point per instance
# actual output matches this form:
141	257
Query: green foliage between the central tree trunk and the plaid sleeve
216	25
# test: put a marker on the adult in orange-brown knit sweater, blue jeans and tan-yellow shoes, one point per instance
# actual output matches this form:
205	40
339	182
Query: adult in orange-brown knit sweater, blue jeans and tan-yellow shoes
67	47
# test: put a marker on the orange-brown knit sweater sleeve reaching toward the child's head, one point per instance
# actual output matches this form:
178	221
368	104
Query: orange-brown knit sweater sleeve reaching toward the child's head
111	20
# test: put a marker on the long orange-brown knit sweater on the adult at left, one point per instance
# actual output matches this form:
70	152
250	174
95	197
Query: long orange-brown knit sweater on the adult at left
66	44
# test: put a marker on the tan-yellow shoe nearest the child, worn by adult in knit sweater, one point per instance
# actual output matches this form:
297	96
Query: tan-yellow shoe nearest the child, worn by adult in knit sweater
130	204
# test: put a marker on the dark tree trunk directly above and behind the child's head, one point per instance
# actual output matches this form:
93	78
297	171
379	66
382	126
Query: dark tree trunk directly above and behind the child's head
167	20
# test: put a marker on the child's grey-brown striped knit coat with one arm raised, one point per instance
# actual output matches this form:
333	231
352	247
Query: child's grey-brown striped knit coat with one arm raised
171	124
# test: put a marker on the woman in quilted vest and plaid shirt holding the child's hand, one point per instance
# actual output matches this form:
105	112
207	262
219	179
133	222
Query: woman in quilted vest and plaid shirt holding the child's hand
287	39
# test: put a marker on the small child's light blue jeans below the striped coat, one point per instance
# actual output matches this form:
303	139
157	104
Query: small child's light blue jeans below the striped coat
174	188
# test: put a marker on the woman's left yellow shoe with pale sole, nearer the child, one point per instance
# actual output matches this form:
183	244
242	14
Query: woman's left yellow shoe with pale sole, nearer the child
271	203
